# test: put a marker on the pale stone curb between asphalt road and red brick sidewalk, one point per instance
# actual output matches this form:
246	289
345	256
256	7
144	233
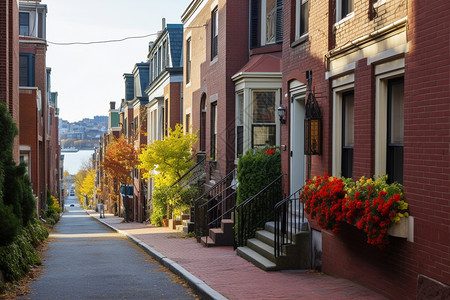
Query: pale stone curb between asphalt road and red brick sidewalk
205	291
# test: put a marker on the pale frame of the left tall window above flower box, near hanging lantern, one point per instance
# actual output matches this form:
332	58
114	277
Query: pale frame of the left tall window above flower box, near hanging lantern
340	86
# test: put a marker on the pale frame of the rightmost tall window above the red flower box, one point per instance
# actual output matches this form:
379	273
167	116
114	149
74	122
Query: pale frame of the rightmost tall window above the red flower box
383	73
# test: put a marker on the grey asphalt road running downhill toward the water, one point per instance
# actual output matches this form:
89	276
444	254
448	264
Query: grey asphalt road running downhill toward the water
86	260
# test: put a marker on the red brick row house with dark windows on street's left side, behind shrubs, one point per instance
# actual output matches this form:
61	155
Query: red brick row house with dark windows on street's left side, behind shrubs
38	126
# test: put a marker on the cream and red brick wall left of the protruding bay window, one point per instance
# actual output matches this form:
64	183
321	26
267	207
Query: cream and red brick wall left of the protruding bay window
211	77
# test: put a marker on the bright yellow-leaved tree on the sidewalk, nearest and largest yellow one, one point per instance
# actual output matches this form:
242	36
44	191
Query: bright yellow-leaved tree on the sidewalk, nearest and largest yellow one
167	161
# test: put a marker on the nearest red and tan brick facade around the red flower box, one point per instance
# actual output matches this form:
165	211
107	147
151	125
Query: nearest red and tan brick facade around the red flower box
395	270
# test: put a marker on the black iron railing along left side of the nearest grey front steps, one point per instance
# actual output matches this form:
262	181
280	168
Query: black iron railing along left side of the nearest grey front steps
254	212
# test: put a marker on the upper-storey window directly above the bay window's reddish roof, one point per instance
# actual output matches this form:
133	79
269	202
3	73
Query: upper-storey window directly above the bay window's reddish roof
266	22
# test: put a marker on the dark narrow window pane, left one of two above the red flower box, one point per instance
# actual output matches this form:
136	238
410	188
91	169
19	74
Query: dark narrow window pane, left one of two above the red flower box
347	134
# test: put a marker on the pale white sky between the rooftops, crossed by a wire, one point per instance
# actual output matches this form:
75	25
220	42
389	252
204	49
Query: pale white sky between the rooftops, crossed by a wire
88	77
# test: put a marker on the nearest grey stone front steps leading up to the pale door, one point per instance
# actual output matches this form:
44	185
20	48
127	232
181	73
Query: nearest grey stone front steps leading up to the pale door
260	251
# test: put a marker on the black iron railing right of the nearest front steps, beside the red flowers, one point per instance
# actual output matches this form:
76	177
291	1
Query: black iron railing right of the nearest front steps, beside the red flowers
289	220
